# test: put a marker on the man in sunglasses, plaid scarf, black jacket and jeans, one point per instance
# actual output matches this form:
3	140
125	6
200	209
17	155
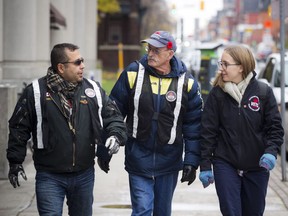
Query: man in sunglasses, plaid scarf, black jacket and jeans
71	120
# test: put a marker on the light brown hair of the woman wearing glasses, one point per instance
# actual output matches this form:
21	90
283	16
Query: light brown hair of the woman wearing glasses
242	55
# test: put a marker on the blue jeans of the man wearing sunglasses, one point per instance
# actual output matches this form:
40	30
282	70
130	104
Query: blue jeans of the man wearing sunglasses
51	189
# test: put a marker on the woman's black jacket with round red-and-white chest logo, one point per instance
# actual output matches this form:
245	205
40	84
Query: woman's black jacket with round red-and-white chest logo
240	135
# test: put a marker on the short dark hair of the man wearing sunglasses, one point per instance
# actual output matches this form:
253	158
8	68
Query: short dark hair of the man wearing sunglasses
58	54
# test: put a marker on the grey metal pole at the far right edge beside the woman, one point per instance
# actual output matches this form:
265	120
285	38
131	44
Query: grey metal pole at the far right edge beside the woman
282	68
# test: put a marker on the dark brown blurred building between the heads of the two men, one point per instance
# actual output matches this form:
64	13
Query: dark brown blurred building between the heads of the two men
120	30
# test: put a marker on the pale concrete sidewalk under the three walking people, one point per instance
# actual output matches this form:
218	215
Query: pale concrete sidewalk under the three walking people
111	194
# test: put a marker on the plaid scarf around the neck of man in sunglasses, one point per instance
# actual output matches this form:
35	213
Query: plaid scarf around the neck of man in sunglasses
64	89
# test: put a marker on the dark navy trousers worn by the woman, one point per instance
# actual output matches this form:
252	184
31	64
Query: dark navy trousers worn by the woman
240	195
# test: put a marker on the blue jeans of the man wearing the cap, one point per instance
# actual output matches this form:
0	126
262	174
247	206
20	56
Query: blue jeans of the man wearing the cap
150	195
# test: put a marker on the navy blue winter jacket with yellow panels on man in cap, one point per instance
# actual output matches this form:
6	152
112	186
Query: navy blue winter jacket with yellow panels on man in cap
149	158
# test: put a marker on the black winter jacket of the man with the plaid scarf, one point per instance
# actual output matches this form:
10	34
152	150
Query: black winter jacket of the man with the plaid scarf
64	151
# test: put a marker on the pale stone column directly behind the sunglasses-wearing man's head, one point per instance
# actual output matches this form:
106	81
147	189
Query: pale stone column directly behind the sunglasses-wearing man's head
81	29
